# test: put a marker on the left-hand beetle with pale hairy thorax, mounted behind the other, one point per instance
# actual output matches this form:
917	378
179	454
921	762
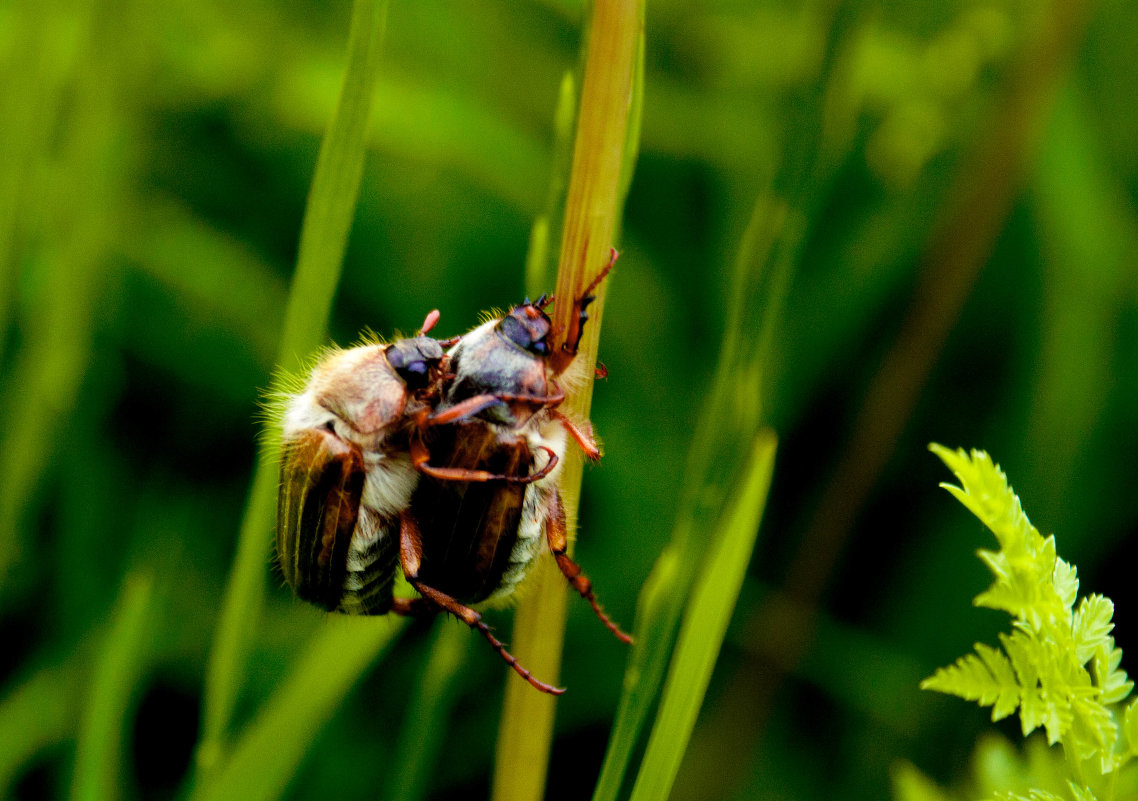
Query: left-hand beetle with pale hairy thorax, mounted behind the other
347	474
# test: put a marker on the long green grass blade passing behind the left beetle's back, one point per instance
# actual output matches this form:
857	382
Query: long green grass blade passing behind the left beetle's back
324	237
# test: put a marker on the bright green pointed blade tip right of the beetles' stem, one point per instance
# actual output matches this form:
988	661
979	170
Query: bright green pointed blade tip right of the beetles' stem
705	626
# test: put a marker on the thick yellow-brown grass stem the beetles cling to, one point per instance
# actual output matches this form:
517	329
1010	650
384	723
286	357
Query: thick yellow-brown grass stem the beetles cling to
592	211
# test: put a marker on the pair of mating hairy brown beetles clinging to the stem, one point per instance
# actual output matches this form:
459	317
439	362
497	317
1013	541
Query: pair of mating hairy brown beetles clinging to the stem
444	464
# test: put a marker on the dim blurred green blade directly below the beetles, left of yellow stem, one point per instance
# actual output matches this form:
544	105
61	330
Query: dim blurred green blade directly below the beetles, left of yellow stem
422	736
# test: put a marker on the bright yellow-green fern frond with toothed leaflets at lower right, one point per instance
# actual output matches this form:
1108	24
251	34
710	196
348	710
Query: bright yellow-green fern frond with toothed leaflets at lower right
1059	666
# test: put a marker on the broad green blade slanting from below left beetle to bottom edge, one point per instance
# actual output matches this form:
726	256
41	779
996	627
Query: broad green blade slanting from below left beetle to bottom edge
270	749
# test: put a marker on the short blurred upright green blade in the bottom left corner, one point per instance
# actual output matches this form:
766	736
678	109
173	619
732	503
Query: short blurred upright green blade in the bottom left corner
98	754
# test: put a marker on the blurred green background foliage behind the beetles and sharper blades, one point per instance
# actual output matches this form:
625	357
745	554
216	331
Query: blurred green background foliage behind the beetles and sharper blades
962	181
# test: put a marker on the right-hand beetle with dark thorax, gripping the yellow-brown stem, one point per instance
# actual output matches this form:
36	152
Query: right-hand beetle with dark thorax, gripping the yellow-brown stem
489	493
